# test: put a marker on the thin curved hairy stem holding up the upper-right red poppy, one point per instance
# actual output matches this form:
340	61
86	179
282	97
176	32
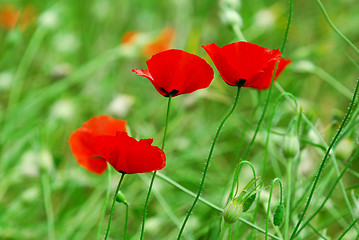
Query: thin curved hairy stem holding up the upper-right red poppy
208	160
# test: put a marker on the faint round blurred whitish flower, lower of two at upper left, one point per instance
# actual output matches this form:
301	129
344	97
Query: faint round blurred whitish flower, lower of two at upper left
66	42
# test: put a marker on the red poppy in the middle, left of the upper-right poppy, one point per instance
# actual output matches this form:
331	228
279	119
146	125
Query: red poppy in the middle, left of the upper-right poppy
174	72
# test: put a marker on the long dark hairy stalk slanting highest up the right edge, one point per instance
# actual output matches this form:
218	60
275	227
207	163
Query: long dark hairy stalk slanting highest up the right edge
324	161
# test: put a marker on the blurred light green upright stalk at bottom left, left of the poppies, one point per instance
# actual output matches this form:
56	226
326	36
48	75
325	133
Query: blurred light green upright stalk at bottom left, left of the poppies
48	206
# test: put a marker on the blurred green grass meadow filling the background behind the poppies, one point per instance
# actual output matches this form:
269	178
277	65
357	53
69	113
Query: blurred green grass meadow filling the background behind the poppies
62	75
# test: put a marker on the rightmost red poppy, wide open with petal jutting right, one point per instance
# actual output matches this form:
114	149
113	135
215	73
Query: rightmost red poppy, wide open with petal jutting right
246	63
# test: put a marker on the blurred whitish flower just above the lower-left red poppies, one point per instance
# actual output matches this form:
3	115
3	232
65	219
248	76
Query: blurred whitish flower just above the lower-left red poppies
120	105
